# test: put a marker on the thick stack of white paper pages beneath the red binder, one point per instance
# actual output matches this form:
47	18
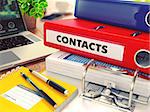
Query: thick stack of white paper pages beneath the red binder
100	72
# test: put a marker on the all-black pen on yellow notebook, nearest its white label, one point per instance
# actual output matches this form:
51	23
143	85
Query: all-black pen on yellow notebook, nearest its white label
40	92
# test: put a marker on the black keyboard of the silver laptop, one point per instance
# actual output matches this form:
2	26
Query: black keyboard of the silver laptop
13	42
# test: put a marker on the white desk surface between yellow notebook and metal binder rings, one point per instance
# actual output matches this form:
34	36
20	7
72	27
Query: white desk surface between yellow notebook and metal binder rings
80	105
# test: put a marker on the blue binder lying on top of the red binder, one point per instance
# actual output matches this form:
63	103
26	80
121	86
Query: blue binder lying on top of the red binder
124	13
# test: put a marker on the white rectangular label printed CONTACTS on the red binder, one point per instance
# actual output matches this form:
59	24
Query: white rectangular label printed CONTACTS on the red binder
101	48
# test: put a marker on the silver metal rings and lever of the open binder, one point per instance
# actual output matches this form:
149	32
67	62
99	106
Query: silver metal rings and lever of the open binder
123	107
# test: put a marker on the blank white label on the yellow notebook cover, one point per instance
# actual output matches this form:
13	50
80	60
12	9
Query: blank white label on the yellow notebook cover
22	97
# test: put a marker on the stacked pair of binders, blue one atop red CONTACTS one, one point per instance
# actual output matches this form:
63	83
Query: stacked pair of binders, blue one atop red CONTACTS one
102	38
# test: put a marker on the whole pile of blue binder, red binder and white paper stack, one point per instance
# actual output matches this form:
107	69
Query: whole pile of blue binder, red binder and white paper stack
116	33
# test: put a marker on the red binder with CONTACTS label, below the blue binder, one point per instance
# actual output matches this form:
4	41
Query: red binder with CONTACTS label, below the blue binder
115	45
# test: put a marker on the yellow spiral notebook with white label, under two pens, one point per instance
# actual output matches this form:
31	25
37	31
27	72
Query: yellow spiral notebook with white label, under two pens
13	86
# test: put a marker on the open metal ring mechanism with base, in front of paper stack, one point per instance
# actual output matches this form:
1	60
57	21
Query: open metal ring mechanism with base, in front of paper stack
108	94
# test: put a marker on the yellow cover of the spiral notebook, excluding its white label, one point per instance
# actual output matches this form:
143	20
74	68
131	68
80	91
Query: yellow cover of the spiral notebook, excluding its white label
15	77
